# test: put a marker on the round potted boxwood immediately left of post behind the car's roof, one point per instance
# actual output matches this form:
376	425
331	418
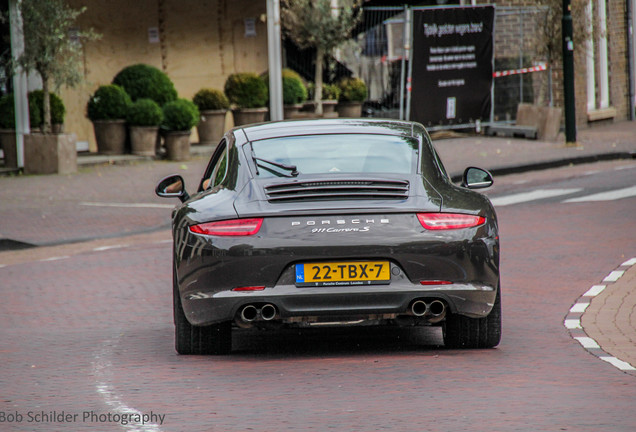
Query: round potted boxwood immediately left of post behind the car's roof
248	93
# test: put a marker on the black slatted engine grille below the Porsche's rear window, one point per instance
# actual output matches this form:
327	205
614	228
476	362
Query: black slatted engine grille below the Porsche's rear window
338	190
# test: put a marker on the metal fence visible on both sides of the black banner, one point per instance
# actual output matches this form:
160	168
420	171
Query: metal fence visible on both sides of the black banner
378	54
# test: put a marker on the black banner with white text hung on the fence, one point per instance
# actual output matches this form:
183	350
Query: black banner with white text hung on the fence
452	65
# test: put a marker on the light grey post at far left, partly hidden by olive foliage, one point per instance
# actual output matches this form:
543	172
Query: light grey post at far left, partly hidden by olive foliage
20	84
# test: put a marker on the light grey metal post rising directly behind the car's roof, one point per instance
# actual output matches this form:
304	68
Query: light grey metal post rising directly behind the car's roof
275	60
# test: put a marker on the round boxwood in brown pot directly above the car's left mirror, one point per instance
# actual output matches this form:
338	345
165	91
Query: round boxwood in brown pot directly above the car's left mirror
179	117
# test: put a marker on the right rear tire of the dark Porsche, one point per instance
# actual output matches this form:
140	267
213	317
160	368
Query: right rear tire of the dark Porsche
463	332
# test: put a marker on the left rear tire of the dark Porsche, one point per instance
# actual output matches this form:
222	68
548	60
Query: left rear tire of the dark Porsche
188	339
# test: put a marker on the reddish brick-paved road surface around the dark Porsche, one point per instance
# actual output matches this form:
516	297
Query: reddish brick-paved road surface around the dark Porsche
86	338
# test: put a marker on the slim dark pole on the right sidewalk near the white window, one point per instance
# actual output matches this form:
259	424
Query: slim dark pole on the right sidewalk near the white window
568	74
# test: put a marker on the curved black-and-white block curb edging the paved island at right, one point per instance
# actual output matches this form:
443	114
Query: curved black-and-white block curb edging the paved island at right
572	321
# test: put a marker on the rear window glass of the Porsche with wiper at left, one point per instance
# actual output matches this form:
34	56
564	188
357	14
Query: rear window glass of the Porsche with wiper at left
337	153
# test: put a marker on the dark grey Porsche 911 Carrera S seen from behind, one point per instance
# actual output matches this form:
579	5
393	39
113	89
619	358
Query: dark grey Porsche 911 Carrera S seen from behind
343	222
